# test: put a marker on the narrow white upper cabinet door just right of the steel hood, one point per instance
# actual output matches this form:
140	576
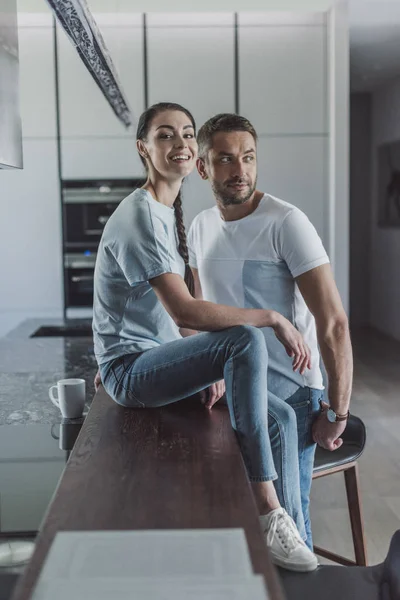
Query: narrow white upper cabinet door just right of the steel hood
37	81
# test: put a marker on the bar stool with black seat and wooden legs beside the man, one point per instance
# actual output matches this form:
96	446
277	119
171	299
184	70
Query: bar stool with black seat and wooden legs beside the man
345	460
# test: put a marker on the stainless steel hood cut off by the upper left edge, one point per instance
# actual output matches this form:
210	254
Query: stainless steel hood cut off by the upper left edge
10	120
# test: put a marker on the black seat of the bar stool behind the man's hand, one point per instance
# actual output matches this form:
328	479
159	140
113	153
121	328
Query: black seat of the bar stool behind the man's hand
353	446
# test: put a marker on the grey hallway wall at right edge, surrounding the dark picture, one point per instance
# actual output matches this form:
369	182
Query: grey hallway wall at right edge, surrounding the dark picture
385	242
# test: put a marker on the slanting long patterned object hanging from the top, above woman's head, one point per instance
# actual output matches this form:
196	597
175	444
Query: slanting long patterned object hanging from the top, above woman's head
81	28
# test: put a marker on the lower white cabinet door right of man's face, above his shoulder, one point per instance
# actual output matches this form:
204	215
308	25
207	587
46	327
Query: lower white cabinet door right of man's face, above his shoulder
294	170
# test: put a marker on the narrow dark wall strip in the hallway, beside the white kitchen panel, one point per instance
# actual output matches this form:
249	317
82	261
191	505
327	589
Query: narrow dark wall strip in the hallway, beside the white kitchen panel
360	208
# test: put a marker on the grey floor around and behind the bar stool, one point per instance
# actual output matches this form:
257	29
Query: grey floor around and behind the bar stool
376	399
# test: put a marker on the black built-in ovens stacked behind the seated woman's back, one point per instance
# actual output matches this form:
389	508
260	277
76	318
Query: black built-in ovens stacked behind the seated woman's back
87	206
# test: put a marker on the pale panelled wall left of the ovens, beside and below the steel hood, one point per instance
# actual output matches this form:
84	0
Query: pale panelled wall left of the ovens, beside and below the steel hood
30	223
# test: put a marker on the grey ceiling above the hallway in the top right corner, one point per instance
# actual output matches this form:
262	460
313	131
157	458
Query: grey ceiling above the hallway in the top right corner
374	43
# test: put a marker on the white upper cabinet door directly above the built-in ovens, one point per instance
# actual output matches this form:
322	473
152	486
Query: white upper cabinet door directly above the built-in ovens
94	143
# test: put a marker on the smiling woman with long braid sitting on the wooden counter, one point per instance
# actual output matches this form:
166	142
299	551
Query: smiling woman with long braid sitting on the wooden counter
143	304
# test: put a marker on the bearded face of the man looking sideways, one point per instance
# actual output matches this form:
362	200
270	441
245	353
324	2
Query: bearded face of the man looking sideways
231	167
